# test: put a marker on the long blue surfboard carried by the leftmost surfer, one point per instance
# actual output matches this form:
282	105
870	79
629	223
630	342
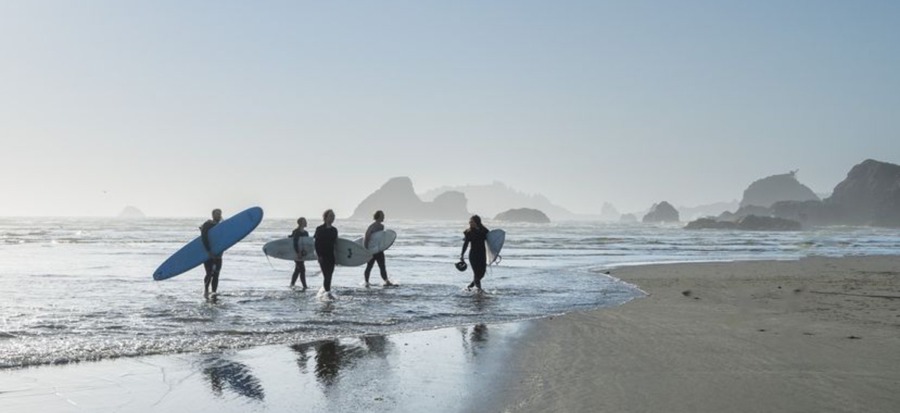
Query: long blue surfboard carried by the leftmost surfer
221	237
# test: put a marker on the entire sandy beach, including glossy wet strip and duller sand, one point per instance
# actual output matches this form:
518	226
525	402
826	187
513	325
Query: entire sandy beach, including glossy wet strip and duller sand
815	335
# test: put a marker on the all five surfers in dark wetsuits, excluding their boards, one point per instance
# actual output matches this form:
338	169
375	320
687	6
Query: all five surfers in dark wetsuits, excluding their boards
326	236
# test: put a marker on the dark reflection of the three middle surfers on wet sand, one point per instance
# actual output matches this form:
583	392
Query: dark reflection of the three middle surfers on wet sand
332	356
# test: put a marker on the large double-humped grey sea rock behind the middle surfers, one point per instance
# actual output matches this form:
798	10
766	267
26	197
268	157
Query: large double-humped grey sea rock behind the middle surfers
398	200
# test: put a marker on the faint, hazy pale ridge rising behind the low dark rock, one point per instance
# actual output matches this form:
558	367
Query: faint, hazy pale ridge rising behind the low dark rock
490	200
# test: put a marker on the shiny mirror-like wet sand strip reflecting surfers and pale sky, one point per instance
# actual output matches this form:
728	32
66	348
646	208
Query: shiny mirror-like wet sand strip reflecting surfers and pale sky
445	370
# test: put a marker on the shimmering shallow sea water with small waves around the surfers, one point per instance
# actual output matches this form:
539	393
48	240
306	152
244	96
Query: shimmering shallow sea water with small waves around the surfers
81	289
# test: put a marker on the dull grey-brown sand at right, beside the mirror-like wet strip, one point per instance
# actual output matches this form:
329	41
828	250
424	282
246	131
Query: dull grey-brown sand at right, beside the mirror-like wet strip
815	335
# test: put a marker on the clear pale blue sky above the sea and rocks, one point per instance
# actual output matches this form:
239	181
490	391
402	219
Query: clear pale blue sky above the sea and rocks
178	107
